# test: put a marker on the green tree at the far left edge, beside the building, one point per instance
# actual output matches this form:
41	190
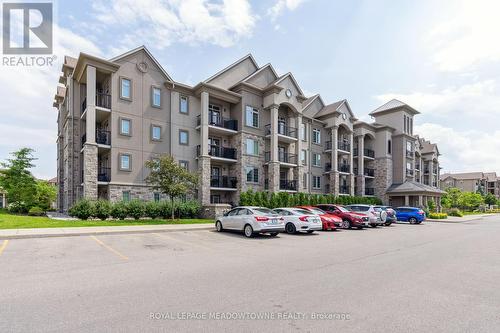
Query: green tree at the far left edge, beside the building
17	181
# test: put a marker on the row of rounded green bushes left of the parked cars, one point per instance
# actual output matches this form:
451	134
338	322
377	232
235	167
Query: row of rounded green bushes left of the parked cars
103	209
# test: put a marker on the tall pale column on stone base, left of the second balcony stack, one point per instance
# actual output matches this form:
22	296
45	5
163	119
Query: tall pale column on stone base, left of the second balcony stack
204	159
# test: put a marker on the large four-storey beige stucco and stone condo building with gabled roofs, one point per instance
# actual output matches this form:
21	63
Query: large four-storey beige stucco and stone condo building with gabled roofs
246	127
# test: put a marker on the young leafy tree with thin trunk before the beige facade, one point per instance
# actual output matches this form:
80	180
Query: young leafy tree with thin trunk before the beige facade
168	177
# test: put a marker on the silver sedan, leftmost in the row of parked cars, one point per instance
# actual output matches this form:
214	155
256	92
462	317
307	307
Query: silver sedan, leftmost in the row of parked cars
251	220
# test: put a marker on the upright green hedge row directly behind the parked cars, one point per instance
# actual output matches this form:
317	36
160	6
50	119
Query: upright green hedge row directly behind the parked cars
285	199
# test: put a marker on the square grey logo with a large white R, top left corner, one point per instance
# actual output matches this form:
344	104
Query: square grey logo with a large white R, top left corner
27	28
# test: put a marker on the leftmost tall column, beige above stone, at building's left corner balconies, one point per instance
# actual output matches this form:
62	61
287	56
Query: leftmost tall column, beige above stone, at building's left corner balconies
90	147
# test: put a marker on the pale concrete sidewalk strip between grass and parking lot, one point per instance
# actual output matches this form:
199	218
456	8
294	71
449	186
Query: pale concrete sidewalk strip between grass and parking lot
84	231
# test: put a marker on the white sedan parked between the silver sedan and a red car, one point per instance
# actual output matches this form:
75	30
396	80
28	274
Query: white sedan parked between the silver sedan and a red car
297	219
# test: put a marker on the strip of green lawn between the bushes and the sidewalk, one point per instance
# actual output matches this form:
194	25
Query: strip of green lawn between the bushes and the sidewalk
10	221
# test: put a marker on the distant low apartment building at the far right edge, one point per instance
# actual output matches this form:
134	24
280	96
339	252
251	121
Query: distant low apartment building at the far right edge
481	182
